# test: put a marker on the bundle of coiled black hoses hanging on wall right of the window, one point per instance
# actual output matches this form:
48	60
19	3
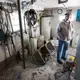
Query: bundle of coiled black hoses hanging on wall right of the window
31	18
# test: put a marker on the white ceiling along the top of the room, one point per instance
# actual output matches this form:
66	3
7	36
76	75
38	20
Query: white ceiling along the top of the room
52	3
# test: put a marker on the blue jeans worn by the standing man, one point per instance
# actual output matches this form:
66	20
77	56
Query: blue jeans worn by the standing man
62	48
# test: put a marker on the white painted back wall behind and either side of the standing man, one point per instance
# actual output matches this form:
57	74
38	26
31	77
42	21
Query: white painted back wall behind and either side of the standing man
76	24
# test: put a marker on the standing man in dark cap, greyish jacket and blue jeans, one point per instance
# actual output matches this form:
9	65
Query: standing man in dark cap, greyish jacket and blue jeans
64	35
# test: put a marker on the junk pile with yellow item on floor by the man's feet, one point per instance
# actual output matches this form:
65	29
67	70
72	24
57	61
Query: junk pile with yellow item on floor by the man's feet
68	70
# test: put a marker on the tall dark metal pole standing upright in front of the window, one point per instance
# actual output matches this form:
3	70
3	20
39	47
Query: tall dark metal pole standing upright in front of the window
21	31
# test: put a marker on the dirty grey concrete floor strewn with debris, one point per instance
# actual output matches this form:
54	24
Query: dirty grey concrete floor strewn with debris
33	72
